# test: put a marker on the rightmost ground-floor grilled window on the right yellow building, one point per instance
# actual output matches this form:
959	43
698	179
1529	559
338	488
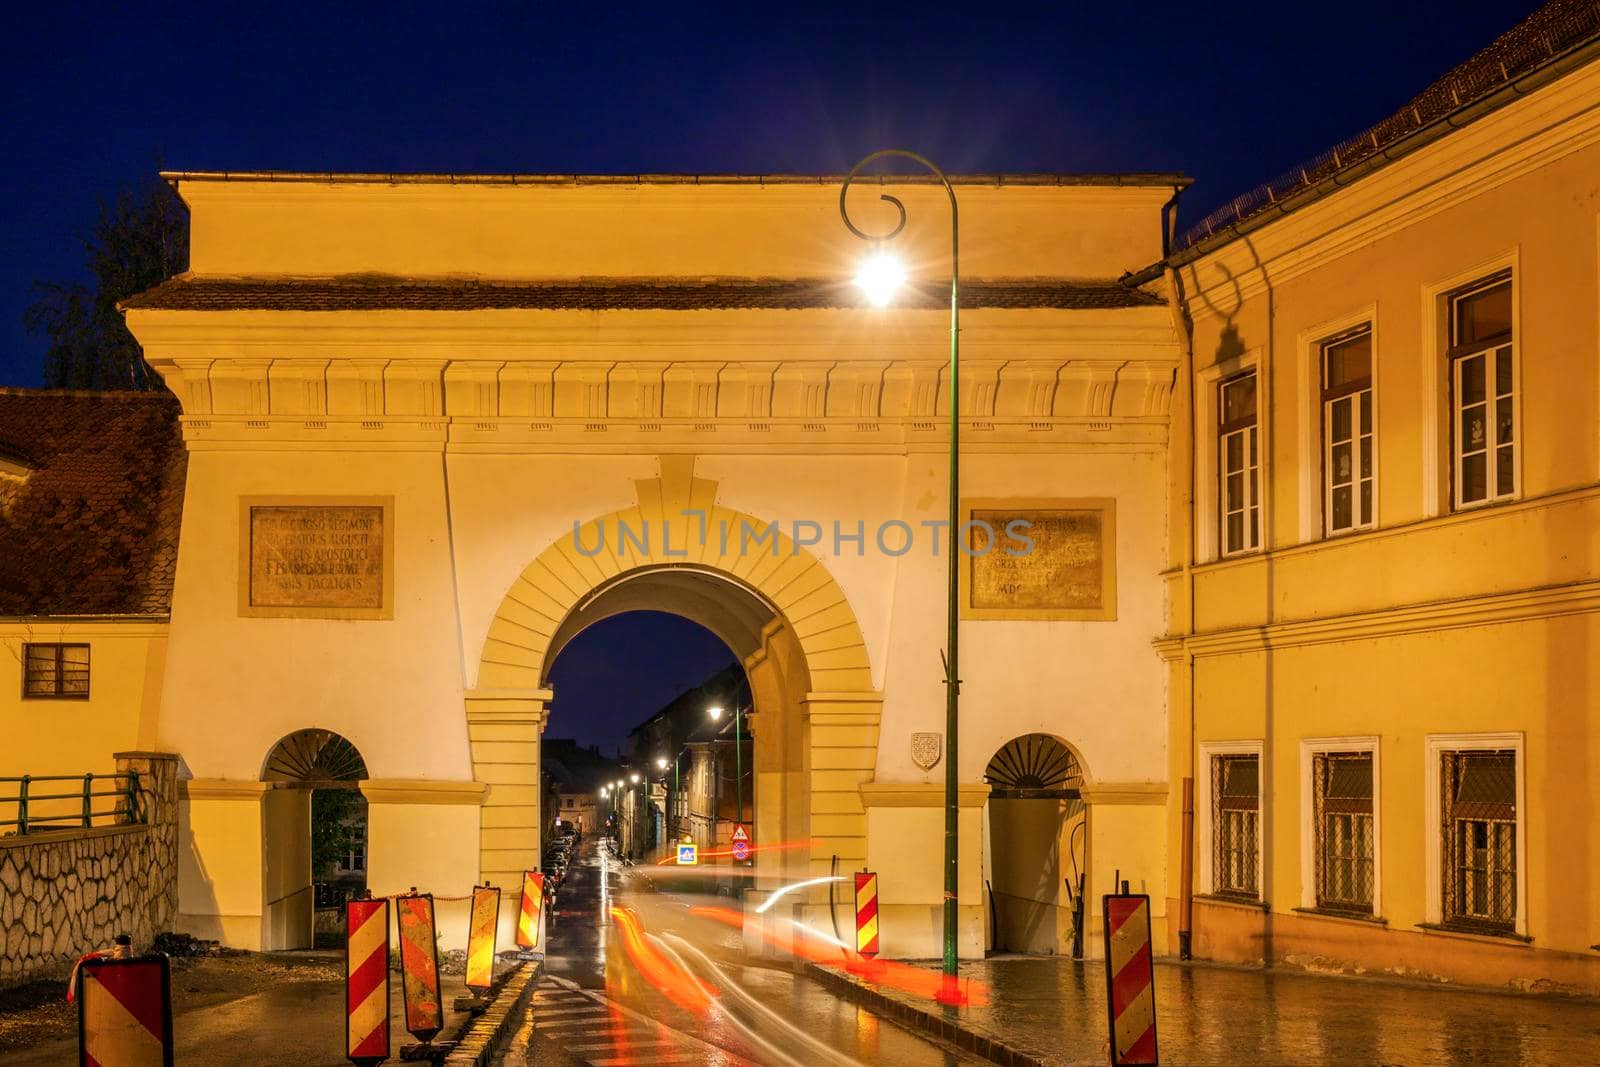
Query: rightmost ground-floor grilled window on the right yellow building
1479	809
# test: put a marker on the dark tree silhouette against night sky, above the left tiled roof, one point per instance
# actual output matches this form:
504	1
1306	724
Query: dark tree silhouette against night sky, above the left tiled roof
140	241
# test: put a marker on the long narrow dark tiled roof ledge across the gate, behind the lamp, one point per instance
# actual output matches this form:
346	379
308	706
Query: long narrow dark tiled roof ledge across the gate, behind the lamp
388	294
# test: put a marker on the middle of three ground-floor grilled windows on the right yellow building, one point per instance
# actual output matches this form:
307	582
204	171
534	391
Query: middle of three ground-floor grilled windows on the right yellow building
1343	820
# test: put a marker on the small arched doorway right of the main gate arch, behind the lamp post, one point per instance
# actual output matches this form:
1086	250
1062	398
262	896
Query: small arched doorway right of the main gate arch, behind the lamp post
1038	857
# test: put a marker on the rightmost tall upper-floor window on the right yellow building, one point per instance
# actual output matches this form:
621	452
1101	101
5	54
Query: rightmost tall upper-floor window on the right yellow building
1482	394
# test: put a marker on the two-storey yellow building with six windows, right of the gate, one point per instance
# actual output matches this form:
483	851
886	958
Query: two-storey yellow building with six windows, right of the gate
1383	649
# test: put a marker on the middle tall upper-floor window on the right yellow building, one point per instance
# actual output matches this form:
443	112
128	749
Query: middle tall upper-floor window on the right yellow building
1348	431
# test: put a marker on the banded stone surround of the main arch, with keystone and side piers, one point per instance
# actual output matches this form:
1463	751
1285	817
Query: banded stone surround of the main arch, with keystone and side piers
686	527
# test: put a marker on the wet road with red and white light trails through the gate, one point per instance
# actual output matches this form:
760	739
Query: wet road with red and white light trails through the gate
604	1004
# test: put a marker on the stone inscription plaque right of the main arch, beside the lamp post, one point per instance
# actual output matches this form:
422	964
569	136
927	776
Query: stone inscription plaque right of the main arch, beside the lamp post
1068	573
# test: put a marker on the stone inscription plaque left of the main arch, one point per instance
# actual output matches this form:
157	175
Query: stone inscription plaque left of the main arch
318	559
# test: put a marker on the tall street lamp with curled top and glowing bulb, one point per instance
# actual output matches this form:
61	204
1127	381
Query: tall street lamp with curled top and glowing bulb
881	276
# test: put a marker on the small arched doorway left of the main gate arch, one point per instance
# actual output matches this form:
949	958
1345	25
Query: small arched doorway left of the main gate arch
314	834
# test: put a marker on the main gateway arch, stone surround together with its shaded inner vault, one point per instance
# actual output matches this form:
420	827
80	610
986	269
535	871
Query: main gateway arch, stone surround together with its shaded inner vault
815	713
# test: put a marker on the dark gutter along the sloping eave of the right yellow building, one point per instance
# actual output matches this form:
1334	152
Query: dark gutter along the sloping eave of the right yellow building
1420	138
